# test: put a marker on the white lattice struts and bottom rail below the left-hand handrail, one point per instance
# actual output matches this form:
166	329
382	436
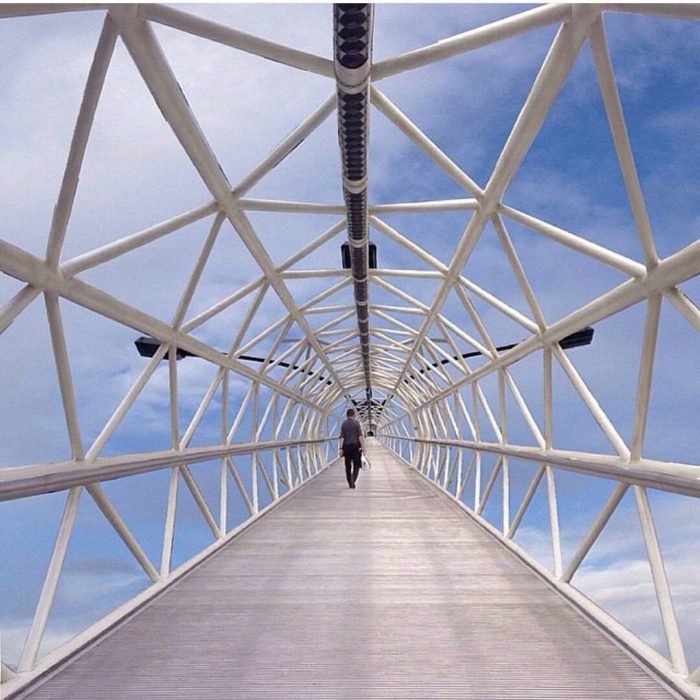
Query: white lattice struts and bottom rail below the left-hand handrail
293	475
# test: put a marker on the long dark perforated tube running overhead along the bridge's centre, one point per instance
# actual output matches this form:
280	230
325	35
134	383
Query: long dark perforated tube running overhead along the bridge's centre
353	60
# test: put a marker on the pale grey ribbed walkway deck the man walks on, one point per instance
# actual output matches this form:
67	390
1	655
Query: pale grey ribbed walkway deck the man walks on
385	591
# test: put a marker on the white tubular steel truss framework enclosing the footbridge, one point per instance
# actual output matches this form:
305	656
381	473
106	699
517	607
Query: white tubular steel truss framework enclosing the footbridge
420	391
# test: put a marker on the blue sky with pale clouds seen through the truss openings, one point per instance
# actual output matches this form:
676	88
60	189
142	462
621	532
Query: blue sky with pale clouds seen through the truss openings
135	175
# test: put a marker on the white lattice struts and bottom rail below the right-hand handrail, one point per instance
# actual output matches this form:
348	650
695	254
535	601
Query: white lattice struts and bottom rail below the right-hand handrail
447	472
